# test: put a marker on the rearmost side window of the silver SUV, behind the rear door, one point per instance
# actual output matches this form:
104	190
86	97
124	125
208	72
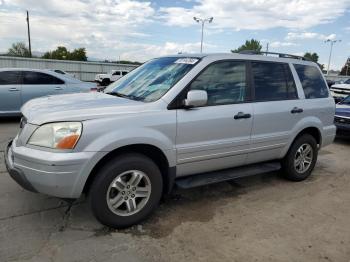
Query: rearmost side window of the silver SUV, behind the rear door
312	81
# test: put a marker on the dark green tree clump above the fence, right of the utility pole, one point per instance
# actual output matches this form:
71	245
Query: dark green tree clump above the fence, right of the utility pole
62	53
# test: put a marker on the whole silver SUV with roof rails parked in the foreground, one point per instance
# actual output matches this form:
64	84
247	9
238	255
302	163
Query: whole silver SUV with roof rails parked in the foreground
188	120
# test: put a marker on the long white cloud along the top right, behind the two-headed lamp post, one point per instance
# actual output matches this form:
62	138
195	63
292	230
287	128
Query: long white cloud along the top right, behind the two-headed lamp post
257	14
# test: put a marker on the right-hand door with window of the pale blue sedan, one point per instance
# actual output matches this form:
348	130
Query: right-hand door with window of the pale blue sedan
37	84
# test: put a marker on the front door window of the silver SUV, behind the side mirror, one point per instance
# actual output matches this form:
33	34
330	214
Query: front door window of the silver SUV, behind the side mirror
224	82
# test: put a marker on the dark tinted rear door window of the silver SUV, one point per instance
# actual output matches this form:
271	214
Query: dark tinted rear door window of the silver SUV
273	81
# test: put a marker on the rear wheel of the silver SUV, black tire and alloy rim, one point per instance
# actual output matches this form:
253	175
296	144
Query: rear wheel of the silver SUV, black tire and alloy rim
292	164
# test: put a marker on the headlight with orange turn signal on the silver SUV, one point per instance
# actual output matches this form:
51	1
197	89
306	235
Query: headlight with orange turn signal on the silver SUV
63	135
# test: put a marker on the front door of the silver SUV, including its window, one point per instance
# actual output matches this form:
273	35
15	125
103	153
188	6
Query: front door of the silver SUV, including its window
217	135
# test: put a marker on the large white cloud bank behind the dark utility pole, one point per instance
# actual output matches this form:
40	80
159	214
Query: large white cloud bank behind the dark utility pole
102	26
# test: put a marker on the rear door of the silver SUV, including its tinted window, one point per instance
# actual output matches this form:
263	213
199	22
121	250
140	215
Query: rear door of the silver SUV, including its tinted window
277	109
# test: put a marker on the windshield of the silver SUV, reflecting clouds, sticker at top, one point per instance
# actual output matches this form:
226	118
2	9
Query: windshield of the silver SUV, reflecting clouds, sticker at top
153	79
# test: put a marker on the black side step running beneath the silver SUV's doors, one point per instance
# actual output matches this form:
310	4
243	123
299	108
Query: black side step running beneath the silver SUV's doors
226	174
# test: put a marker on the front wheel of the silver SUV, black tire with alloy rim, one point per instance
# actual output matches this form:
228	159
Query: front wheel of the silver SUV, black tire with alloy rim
120	172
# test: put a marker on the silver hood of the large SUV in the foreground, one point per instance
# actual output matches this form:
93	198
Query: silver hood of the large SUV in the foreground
79	107
